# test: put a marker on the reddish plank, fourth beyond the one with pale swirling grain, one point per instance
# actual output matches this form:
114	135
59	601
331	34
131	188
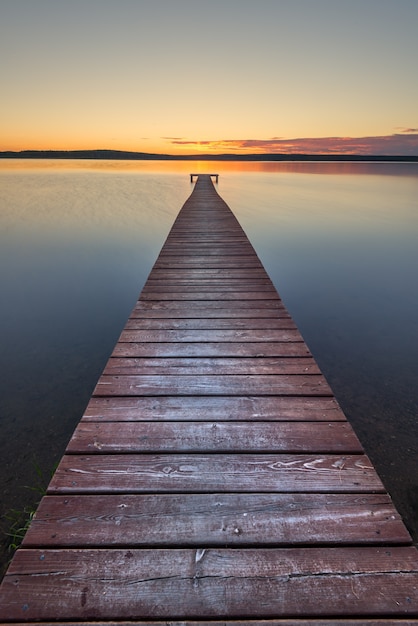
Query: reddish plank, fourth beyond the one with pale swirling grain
125	366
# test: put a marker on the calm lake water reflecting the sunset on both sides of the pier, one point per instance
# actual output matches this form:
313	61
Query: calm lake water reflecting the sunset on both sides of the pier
78	240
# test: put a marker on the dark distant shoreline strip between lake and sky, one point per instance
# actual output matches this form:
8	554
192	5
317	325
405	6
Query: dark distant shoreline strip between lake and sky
145	156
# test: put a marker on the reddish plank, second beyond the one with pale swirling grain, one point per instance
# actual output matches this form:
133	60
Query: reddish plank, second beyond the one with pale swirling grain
233	408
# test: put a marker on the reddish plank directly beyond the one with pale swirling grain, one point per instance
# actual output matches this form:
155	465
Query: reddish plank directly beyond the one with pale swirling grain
292	437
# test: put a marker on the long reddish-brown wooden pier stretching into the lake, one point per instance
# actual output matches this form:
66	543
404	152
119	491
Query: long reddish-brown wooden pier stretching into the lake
213	476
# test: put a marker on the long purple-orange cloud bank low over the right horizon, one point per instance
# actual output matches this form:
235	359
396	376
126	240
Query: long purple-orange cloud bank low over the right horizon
403	143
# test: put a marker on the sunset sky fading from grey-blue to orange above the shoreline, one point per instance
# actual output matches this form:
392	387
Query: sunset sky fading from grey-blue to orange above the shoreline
199	76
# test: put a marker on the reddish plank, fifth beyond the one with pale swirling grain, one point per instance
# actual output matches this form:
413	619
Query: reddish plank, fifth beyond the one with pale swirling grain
211	349
